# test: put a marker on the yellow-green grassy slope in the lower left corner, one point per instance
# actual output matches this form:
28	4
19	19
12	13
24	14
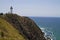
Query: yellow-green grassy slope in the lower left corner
10	33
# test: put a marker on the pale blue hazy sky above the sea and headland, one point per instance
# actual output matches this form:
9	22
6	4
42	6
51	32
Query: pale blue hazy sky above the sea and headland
39	8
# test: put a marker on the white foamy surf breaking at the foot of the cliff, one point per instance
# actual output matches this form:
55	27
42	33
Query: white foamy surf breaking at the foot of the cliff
49	35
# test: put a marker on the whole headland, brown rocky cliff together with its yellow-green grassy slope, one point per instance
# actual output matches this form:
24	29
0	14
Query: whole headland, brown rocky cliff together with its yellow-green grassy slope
19	27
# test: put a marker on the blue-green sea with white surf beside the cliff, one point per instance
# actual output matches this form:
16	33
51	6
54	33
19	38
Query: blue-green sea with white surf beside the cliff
49	25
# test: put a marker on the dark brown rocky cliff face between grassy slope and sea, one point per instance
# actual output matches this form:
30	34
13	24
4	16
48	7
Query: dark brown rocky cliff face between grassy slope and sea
26	27
